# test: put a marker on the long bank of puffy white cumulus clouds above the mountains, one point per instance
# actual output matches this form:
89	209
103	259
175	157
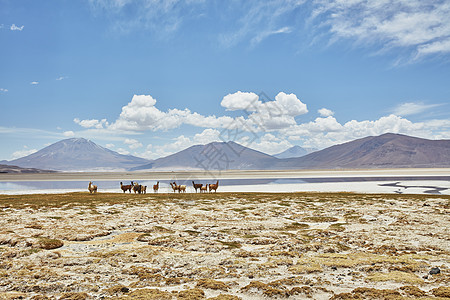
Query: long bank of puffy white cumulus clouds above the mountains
270	126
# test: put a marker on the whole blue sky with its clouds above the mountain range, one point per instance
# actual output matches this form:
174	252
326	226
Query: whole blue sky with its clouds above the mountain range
153	77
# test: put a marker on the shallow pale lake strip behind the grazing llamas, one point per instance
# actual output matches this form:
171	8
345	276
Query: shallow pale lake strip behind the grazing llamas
416	185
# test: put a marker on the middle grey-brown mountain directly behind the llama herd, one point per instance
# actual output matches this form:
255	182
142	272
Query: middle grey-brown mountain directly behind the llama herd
213	156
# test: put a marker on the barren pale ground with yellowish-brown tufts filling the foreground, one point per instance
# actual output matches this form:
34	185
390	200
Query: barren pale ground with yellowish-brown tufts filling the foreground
225	246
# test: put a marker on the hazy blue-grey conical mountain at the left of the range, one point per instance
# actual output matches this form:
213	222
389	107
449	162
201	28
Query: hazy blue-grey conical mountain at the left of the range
78	154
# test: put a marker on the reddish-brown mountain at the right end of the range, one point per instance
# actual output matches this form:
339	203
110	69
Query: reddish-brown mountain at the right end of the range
385	151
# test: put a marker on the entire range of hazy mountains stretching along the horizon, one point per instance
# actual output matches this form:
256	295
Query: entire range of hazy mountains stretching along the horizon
384	151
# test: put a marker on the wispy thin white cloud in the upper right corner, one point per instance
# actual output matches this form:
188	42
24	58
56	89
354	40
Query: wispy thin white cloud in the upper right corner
421	26
